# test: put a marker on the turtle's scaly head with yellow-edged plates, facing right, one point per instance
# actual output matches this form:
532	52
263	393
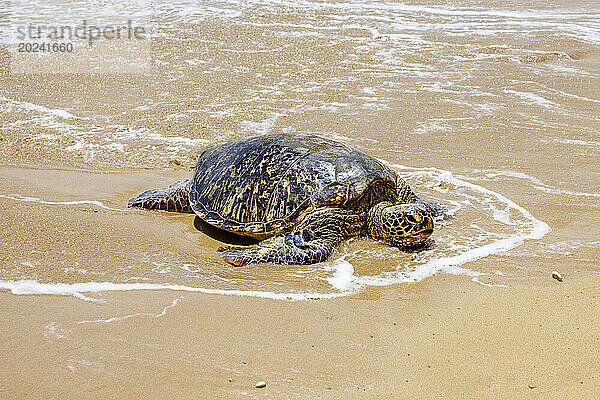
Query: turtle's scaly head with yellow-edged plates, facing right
403	225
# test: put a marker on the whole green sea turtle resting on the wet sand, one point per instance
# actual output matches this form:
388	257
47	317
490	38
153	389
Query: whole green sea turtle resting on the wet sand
300	195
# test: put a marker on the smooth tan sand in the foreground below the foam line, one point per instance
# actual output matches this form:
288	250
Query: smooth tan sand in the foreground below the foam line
451	338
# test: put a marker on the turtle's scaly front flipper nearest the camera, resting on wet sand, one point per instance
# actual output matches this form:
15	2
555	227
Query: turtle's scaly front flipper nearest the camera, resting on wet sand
312	241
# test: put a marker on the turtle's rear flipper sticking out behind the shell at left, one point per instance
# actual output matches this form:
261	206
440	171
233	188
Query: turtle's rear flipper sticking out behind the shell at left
174	198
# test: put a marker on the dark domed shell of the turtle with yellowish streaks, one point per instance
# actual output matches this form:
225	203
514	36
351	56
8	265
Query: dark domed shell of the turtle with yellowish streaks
262	185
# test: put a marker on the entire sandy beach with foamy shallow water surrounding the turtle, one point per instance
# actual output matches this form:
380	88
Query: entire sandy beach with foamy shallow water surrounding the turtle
489	107
